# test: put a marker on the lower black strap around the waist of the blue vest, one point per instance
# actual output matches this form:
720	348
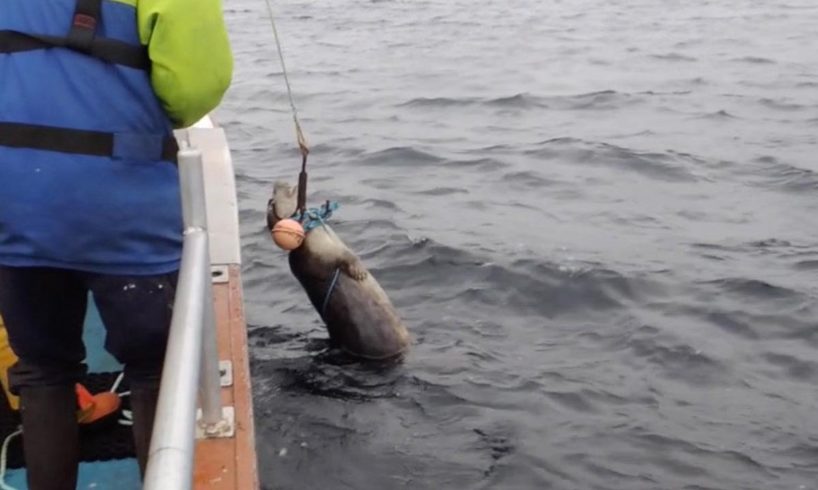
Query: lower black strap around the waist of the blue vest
64	140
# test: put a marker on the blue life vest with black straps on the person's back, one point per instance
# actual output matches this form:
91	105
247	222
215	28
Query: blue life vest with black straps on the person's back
87	174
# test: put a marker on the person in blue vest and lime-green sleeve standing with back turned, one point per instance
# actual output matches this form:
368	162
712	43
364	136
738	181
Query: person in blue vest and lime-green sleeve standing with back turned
90	94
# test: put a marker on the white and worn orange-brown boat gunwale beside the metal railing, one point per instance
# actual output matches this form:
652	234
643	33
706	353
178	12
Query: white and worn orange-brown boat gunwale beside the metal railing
226	463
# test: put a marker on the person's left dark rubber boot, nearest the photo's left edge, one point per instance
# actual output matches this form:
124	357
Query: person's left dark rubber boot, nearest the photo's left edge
50	436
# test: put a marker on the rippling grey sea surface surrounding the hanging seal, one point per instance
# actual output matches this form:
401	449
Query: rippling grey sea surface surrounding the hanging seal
599	220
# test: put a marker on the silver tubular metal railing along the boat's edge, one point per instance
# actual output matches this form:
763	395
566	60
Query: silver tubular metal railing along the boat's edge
191	366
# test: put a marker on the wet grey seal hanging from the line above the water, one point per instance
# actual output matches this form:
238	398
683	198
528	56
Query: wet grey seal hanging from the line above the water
359	316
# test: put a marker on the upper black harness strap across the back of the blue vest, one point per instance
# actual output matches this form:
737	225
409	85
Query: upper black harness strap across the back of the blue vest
82	37
